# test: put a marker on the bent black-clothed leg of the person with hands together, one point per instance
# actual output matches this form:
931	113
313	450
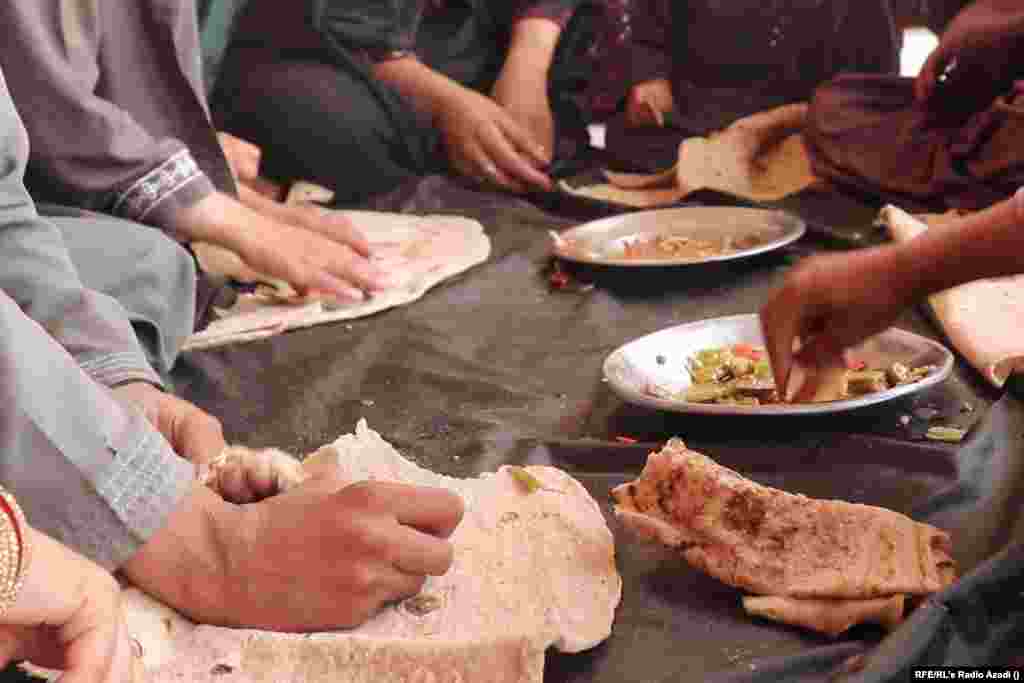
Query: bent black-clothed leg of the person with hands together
327	124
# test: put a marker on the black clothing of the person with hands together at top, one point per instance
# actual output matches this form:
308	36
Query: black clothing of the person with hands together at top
308	97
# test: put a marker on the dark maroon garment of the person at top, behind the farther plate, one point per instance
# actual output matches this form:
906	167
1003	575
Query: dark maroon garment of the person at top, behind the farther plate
728	60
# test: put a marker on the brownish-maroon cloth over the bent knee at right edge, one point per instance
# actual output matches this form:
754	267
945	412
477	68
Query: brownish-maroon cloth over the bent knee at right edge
867	133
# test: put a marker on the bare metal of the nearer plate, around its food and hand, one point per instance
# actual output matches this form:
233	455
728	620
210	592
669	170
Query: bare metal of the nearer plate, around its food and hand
634	369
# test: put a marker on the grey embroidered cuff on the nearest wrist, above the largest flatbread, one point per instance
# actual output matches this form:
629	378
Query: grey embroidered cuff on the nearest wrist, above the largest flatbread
143	485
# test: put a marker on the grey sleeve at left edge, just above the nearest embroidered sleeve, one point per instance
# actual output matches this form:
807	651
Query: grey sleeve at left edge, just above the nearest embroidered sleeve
36	272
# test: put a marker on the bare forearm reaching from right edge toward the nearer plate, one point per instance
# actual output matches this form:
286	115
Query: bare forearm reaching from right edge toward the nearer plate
988	244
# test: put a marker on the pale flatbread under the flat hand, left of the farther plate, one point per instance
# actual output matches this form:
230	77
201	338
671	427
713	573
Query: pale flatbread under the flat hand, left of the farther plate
428	250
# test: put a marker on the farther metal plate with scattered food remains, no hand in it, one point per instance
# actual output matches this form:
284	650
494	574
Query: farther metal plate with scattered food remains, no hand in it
678	237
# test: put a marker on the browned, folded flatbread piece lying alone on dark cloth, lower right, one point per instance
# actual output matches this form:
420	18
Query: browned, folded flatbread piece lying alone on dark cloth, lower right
825	566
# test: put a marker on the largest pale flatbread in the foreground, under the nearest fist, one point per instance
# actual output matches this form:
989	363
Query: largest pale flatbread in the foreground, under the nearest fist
531	571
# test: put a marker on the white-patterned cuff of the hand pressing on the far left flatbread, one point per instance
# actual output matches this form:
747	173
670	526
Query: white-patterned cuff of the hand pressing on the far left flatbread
154	199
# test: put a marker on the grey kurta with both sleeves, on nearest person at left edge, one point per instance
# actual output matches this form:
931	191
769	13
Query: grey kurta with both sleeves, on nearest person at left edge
87	472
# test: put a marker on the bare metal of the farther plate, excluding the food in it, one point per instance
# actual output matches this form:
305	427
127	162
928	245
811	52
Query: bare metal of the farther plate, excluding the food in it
603	242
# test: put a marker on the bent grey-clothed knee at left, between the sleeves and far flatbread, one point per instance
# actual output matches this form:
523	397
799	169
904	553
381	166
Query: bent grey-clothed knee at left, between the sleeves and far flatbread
153	277
